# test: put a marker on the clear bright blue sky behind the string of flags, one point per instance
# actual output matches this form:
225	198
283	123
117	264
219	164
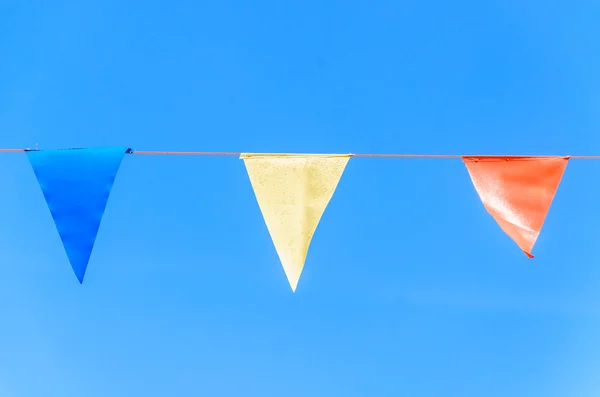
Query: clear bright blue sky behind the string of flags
184	294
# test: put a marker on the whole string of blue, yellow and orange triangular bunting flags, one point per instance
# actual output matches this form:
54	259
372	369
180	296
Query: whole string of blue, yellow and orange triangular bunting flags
292	192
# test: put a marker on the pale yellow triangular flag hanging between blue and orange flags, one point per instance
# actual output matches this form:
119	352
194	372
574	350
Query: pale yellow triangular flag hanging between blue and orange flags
293	191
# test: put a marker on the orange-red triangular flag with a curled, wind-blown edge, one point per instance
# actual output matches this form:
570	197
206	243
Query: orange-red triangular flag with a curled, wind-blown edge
517	192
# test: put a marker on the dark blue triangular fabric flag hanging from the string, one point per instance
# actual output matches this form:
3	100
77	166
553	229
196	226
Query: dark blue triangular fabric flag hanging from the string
76	184
